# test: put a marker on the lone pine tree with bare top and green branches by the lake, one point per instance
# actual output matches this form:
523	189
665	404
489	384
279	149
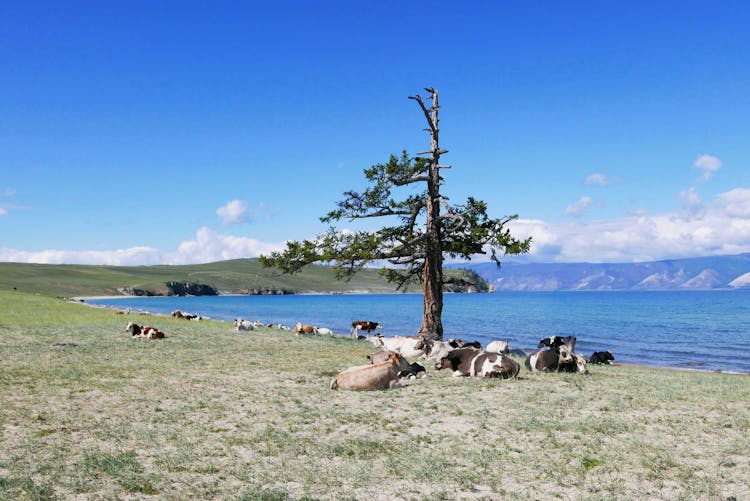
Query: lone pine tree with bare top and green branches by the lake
424	227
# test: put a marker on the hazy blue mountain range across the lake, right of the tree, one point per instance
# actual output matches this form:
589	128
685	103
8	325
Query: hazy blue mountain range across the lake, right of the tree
703	273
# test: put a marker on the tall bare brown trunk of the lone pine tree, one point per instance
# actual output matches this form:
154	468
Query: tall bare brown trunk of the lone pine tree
432	321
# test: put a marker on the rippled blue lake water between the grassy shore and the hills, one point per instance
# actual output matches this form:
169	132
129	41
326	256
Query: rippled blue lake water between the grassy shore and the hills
703	330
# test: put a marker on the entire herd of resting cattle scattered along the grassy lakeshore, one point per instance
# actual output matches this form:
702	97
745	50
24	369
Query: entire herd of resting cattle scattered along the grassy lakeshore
388	366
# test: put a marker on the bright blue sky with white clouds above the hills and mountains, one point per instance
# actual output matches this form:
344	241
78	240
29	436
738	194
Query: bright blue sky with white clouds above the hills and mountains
183	132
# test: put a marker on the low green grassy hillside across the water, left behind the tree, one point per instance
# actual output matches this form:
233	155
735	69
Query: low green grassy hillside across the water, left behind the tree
235	276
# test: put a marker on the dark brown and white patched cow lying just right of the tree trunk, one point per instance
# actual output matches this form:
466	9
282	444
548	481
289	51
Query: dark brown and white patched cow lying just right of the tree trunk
470	362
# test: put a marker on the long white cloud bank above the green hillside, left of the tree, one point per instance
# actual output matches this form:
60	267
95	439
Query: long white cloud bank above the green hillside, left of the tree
207	246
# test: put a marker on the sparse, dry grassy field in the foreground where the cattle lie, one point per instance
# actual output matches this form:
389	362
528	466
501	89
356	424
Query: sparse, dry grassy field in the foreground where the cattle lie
88	413
